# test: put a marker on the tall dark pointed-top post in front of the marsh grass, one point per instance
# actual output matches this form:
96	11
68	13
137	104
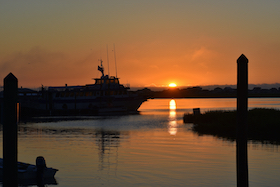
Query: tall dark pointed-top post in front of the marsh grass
242	124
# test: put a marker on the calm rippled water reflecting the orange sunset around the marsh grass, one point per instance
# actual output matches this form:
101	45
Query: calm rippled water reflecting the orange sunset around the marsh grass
154	148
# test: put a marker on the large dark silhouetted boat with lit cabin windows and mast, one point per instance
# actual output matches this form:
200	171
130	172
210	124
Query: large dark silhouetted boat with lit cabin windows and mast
105	96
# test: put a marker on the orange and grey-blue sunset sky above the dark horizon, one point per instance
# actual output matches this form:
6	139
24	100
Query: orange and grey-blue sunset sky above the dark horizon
188	42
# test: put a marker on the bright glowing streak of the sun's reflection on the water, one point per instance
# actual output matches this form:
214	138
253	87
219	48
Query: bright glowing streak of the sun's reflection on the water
172	124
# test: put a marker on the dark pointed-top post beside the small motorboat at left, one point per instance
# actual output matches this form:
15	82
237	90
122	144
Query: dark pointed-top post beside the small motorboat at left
10	138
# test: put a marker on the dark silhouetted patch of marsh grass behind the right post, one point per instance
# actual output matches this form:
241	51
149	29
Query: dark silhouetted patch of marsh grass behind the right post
263	124
